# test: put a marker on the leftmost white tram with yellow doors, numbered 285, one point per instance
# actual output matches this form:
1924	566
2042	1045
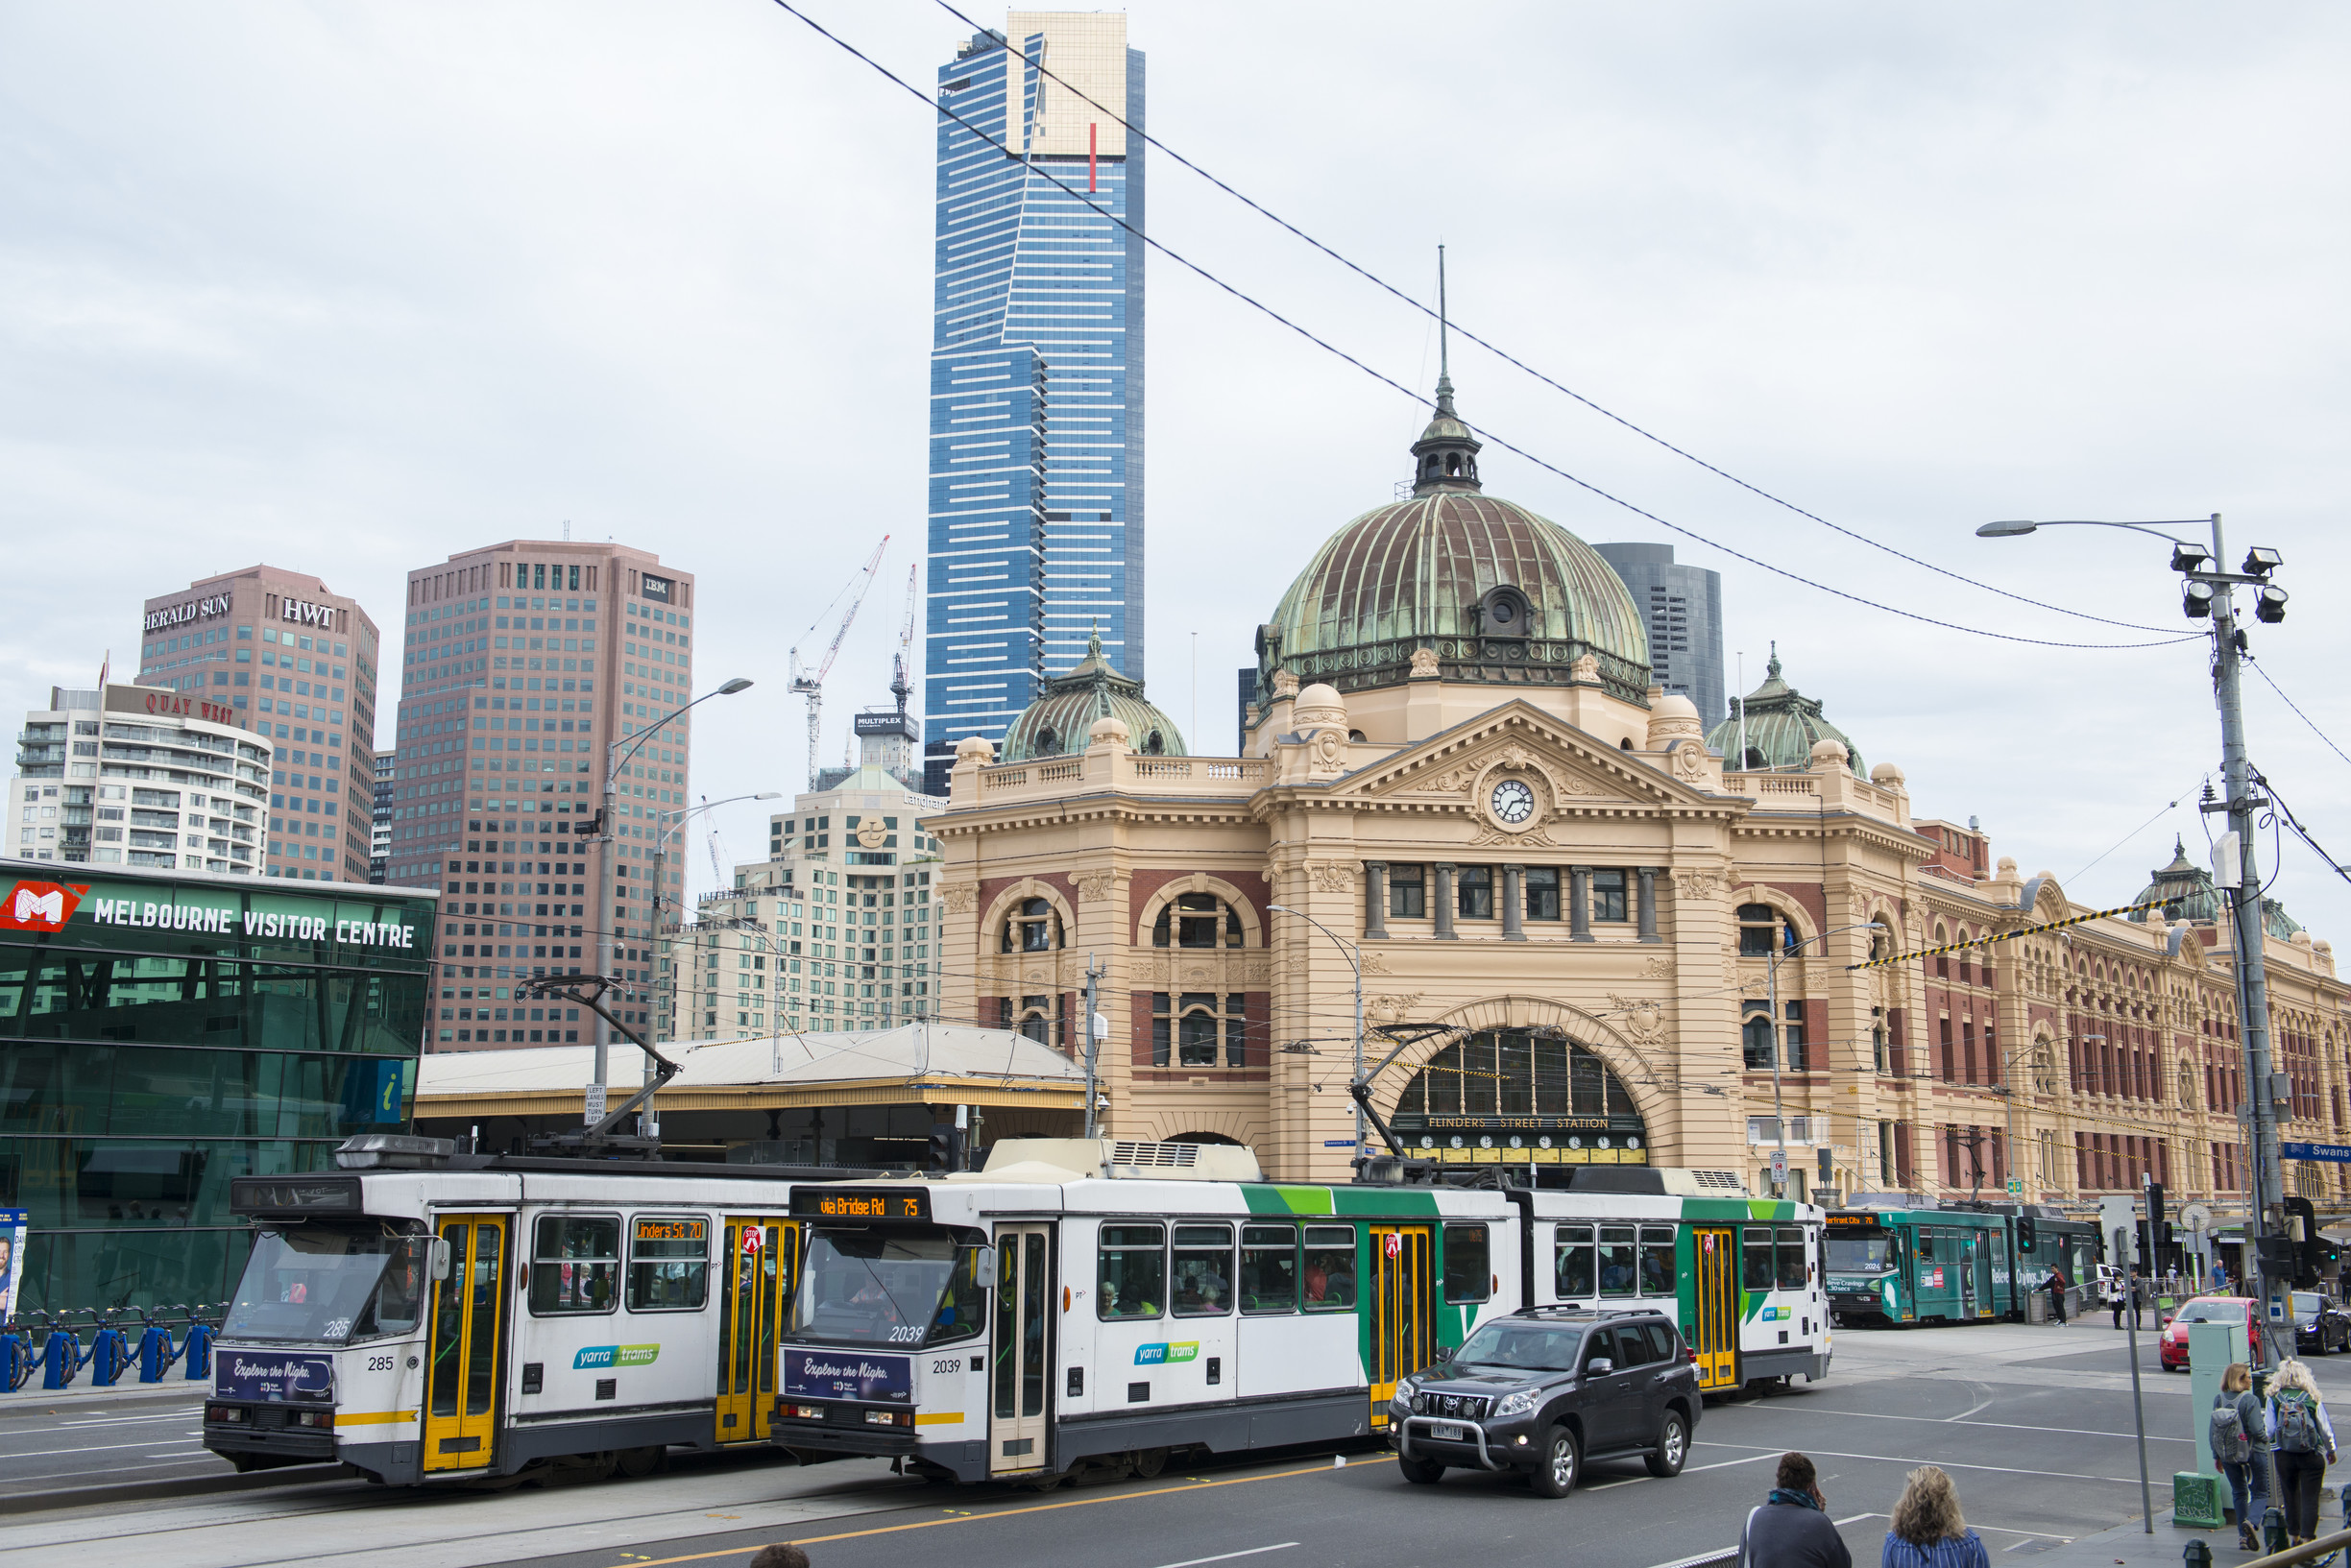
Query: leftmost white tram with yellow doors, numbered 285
469	1318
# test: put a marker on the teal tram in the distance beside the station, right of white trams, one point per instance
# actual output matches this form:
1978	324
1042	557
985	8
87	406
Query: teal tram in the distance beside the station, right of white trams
1943	1264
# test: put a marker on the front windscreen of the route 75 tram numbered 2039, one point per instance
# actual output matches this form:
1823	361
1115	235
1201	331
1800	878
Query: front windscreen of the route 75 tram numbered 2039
871	1287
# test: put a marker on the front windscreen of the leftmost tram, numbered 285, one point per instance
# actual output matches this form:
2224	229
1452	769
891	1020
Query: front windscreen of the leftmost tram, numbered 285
330	1285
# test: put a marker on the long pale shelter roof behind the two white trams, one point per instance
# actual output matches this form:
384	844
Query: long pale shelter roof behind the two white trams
848	1099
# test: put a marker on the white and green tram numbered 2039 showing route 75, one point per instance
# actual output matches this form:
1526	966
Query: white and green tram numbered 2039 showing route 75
1097	1304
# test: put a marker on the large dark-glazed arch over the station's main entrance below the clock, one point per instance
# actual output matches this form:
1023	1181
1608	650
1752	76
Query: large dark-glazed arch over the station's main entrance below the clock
1520	1097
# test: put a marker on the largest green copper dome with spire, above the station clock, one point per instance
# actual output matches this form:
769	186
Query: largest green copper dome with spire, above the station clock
1492	589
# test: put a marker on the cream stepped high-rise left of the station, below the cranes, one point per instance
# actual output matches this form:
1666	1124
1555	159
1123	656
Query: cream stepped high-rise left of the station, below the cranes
836	930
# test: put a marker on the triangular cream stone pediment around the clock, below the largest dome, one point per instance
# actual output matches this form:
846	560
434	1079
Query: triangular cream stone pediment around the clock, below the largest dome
1522	742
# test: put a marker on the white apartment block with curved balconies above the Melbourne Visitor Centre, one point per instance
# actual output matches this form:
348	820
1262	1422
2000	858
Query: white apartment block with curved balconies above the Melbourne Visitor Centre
140	777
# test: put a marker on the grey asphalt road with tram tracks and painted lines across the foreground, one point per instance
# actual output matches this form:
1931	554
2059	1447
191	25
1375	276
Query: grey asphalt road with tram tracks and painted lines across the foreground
2035	1423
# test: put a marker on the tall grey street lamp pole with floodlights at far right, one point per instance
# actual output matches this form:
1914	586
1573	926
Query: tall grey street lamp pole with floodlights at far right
2211	596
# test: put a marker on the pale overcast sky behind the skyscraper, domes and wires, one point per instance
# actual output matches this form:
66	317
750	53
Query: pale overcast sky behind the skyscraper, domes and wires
349	288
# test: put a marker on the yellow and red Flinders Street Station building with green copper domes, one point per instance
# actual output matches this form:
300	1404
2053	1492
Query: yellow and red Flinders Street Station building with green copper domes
1572	911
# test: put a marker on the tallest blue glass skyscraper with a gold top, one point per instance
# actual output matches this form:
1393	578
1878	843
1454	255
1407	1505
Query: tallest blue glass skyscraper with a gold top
1036	500
